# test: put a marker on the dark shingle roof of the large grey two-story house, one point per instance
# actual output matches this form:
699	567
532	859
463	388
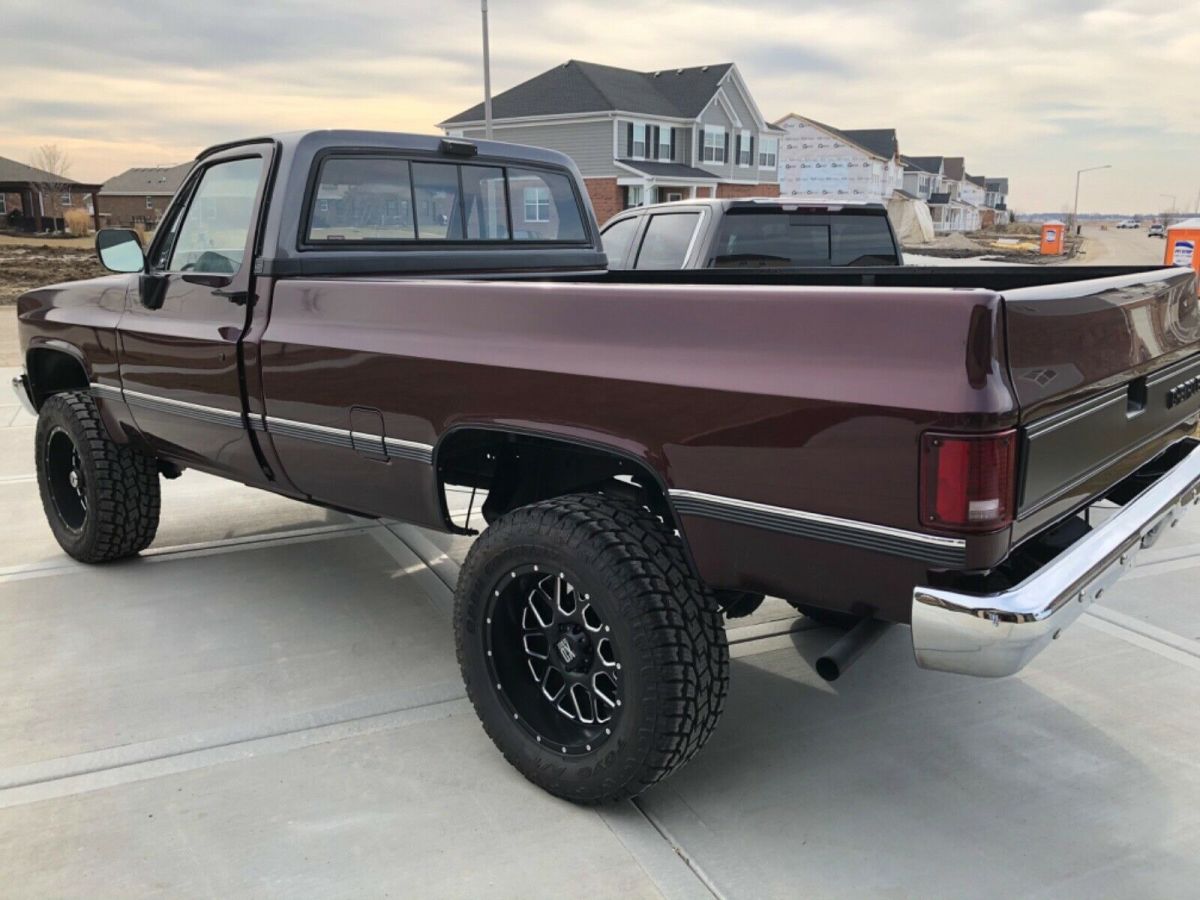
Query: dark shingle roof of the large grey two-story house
578	87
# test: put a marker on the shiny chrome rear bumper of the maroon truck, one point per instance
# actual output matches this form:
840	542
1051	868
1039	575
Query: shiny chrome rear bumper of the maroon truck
994	635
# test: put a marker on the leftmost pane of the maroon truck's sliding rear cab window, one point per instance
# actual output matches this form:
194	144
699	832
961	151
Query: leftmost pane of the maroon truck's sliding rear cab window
363	200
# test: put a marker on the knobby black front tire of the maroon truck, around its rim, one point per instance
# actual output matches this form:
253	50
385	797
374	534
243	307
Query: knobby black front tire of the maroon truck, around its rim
121	494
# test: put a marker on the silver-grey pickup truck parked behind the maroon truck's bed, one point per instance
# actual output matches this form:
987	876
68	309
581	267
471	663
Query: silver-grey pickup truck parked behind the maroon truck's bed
758	233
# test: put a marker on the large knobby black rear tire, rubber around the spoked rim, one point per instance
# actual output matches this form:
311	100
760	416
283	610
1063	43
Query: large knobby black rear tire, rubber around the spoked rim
665	627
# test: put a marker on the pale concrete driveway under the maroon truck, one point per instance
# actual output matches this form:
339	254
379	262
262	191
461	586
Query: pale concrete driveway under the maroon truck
267	705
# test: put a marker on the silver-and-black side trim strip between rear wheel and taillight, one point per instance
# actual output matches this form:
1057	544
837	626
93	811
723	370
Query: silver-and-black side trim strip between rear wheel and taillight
881	539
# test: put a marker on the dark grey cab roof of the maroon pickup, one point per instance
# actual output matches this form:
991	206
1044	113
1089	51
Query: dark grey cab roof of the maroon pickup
351	140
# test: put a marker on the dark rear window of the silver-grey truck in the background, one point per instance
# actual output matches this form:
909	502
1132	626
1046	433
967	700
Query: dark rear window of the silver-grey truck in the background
802	238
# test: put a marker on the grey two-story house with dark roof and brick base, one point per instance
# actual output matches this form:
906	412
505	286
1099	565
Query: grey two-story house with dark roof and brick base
640	137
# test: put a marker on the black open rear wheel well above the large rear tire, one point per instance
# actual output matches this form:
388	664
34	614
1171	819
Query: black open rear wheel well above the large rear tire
517	470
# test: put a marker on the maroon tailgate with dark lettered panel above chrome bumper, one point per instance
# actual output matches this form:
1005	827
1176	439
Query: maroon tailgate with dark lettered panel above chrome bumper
1107	374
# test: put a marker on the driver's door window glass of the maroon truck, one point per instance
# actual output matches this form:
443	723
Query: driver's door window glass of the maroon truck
214	231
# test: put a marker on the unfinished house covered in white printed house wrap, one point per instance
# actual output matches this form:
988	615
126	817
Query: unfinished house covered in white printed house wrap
819	161
